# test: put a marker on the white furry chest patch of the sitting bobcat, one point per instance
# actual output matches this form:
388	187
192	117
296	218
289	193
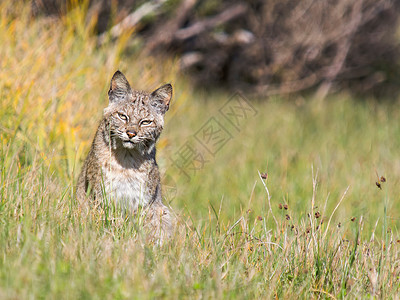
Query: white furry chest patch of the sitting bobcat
126	187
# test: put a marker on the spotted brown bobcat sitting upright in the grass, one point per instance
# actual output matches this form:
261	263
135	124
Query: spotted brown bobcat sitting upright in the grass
121	163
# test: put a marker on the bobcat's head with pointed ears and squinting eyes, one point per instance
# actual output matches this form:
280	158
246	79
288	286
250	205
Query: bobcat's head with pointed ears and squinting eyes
135	119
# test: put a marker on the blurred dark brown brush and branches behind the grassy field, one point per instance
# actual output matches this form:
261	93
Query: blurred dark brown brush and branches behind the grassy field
263	47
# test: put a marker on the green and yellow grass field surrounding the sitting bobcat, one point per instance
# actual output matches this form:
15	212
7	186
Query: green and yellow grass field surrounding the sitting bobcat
237	238
